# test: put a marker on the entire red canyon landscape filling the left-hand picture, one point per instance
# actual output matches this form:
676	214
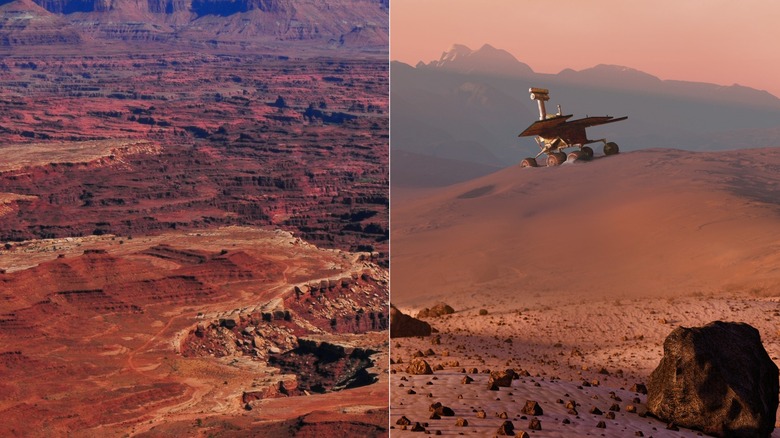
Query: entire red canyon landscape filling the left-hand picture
194	234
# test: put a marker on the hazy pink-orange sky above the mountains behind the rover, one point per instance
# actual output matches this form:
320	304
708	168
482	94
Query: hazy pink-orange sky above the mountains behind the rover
718	41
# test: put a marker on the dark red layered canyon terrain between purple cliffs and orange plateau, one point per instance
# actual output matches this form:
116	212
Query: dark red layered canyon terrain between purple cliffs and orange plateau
256	140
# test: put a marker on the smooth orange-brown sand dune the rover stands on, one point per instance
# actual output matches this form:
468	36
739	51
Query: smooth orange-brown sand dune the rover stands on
655	222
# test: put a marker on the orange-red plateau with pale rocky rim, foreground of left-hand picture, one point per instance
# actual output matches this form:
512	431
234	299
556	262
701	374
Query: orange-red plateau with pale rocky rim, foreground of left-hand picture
120	323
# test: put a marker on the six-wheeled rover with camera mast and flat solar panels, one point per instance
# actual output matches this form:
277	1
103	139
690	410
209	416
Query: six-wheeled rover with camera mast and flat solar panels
554	133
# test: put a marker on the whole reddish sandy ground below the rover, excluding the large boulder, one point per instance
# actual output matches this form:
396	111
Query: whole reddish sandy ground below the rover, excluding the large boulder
574	276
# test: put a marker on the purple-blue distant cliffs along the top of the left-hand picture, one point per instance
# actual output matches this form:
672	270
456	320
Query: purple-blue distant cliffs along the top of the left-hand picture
355	24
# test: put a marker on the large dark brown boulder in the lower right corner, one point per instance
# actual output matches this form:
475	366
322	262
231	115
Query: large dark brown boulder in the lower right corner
718	379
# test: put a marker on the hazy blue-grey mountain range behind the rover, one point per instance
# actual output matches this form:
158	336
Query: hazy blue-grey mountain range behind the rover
470	105
